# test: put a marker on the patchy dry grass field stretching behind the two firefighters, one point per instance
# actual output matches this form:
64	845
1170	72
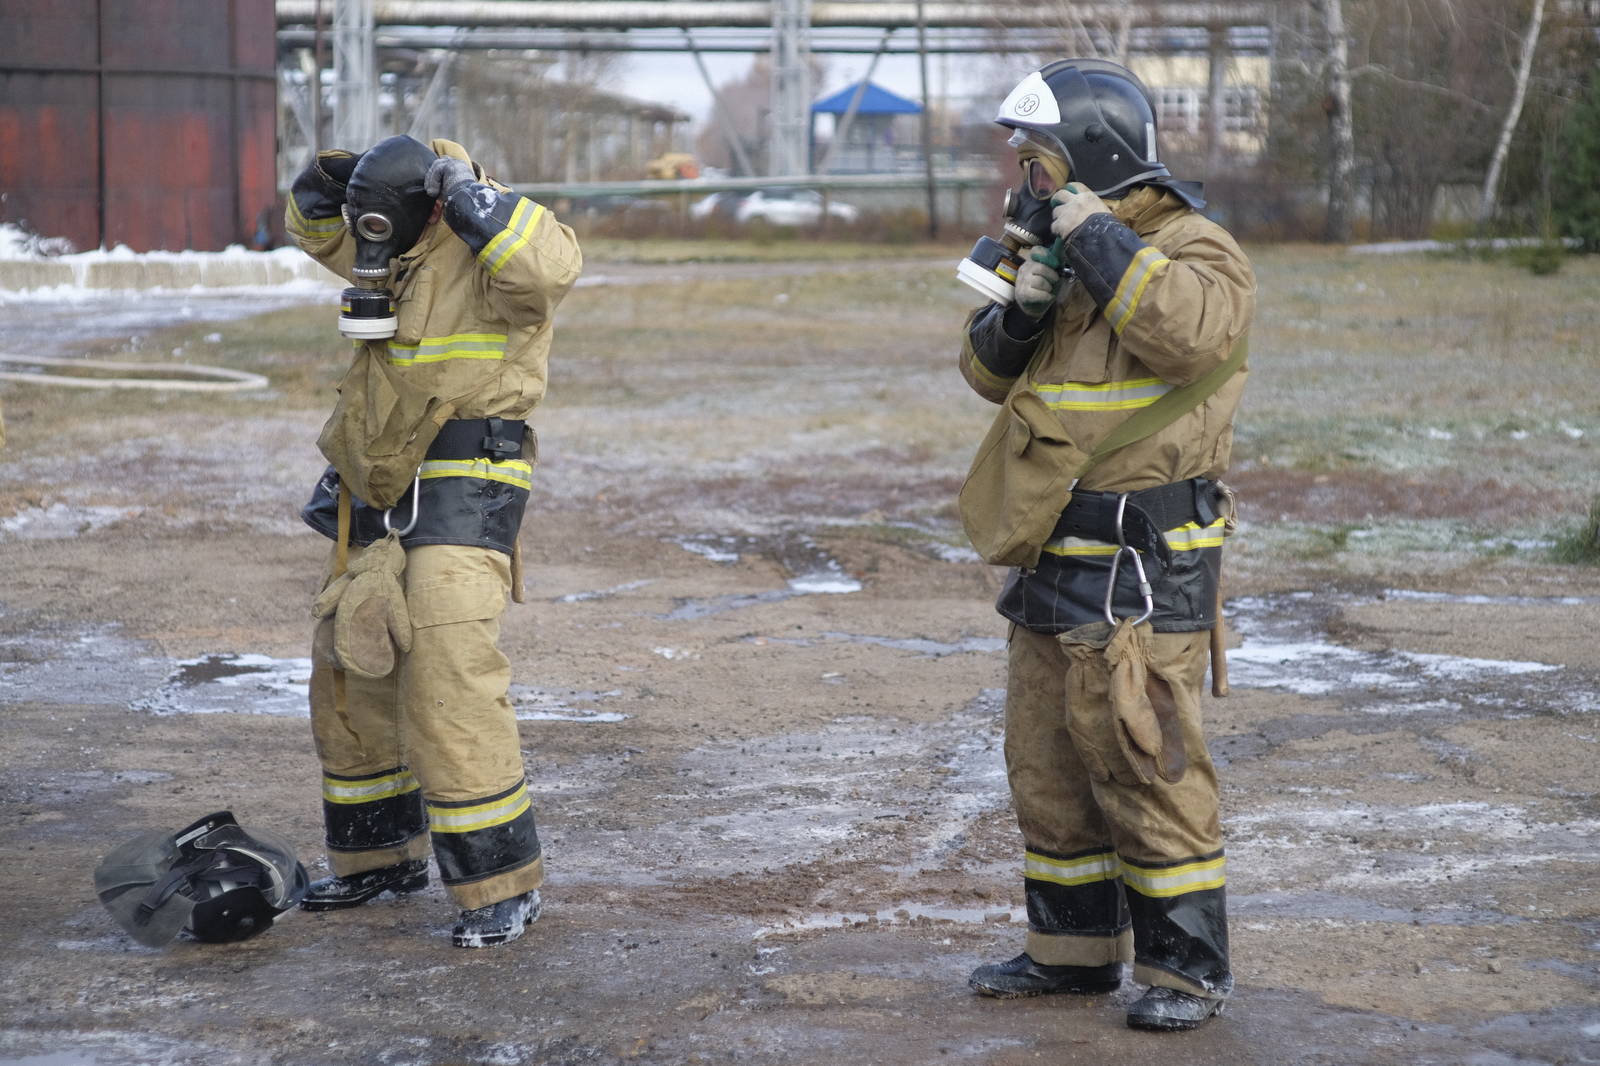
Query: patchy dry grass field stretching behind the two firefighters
1398	404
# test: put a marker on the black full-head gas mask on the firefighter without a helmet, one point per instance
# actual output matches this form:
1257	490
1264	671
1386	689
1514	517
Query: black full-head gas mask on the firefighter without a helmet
386	210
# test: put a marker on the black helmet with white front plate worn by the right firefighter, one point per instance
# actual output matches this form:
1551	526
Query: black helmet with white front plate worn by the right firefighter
1098	114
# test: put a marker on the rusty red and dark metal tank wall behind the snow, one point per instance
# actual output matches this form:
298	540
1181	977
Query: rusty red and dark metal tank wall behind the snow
150	124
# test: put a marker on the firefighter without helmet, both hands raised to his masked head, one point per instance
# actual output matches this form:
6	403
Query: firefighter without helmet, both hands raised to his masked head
431	468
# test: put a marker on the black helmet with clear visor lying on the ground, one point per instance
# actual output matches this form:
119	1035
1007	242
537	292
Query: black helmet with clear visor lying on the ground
215	880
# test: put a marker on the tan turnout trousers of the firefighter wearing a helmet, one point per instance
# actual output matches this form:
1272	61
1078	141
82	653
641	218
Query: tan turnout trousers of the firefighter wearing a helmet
1116	872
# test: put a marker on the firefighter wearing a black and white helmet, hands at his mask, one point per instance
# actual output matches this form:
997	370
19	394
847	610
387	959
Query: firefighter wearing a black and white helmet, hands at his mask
1119	366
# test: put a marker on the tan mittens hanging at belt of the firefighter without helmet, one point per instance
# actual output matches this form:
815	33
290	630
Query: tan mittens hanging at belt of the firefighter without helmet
370	619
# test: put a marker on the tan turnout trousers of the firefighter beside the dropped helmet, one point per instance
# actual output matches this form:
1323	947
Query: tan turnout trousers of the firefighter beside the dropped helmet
431	753
